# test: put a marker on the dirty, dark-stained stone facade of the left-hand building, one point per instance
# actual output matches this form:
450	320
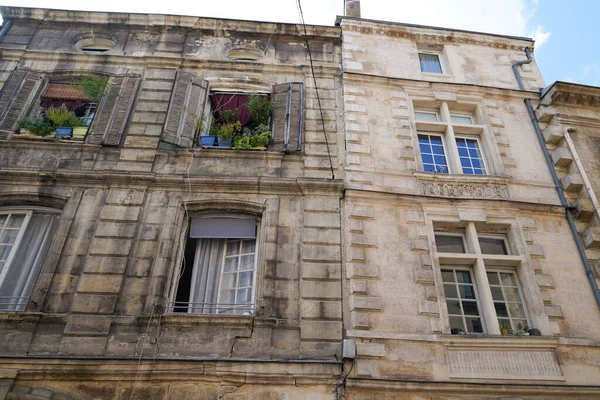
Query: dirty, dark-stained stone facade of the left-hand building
97	324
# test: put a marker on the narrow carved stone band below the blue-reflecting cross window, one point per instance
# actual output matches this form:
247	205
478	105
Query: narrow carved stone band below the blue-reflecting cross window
465	190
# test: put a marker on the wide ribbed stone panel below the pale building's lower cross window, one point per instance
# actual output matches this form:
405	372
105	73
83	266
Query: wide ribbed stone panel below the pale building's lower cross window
497	364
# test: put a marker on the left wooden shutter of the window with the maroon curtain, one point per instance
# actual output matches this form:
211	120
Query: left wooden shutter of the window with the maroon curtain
187	105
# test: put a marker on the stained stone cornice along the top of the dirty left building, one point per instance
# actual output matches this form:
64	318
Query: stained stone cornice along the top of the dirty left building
219	26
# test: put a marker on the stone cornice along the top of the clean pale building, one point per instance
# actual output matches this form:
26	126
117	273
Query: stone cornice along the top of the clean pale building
434	35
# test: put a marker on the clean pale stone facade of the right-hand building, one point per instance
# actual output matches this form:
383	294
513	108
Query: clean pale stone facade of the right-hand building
396	304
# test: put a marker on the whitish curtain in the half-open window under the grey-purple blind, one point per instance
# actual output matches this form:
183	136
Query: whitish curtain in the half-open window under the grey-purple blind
204	291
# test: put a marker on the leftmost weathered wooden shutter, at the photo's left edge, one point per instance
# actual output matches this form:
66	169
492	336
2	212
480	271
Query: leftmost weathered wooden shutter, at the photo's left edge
16	97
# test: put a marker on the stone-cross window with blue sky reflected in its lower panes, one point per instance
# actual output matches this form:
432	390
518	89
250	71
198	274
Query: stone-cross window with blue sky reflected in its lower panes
450	147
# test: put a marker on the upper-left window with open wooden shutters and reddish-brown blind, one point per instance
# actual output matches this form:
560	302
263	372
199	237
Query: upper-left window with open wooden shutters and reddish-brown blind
27	94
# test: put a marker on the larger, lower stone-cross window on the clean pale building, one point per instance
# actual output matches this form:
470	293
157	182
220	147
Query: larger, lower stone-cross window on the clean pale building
480	282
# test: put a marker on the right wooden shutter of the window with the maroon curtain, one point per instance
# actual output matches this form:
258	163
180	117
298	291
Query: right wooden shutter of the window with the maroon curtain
288	110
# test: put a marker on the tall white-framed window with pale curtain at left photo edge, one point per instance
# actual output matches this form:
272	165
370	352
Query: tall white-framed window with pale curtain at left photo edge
25	237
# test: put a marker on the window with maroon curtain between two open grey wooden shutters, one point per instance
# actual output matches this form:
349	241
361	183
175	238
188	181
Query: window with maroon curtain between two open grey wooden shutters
195	107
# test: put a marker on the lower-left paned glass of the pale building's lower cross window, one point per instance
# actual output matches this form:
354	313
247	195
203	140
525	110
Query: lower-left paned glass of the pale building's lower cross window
461	300
